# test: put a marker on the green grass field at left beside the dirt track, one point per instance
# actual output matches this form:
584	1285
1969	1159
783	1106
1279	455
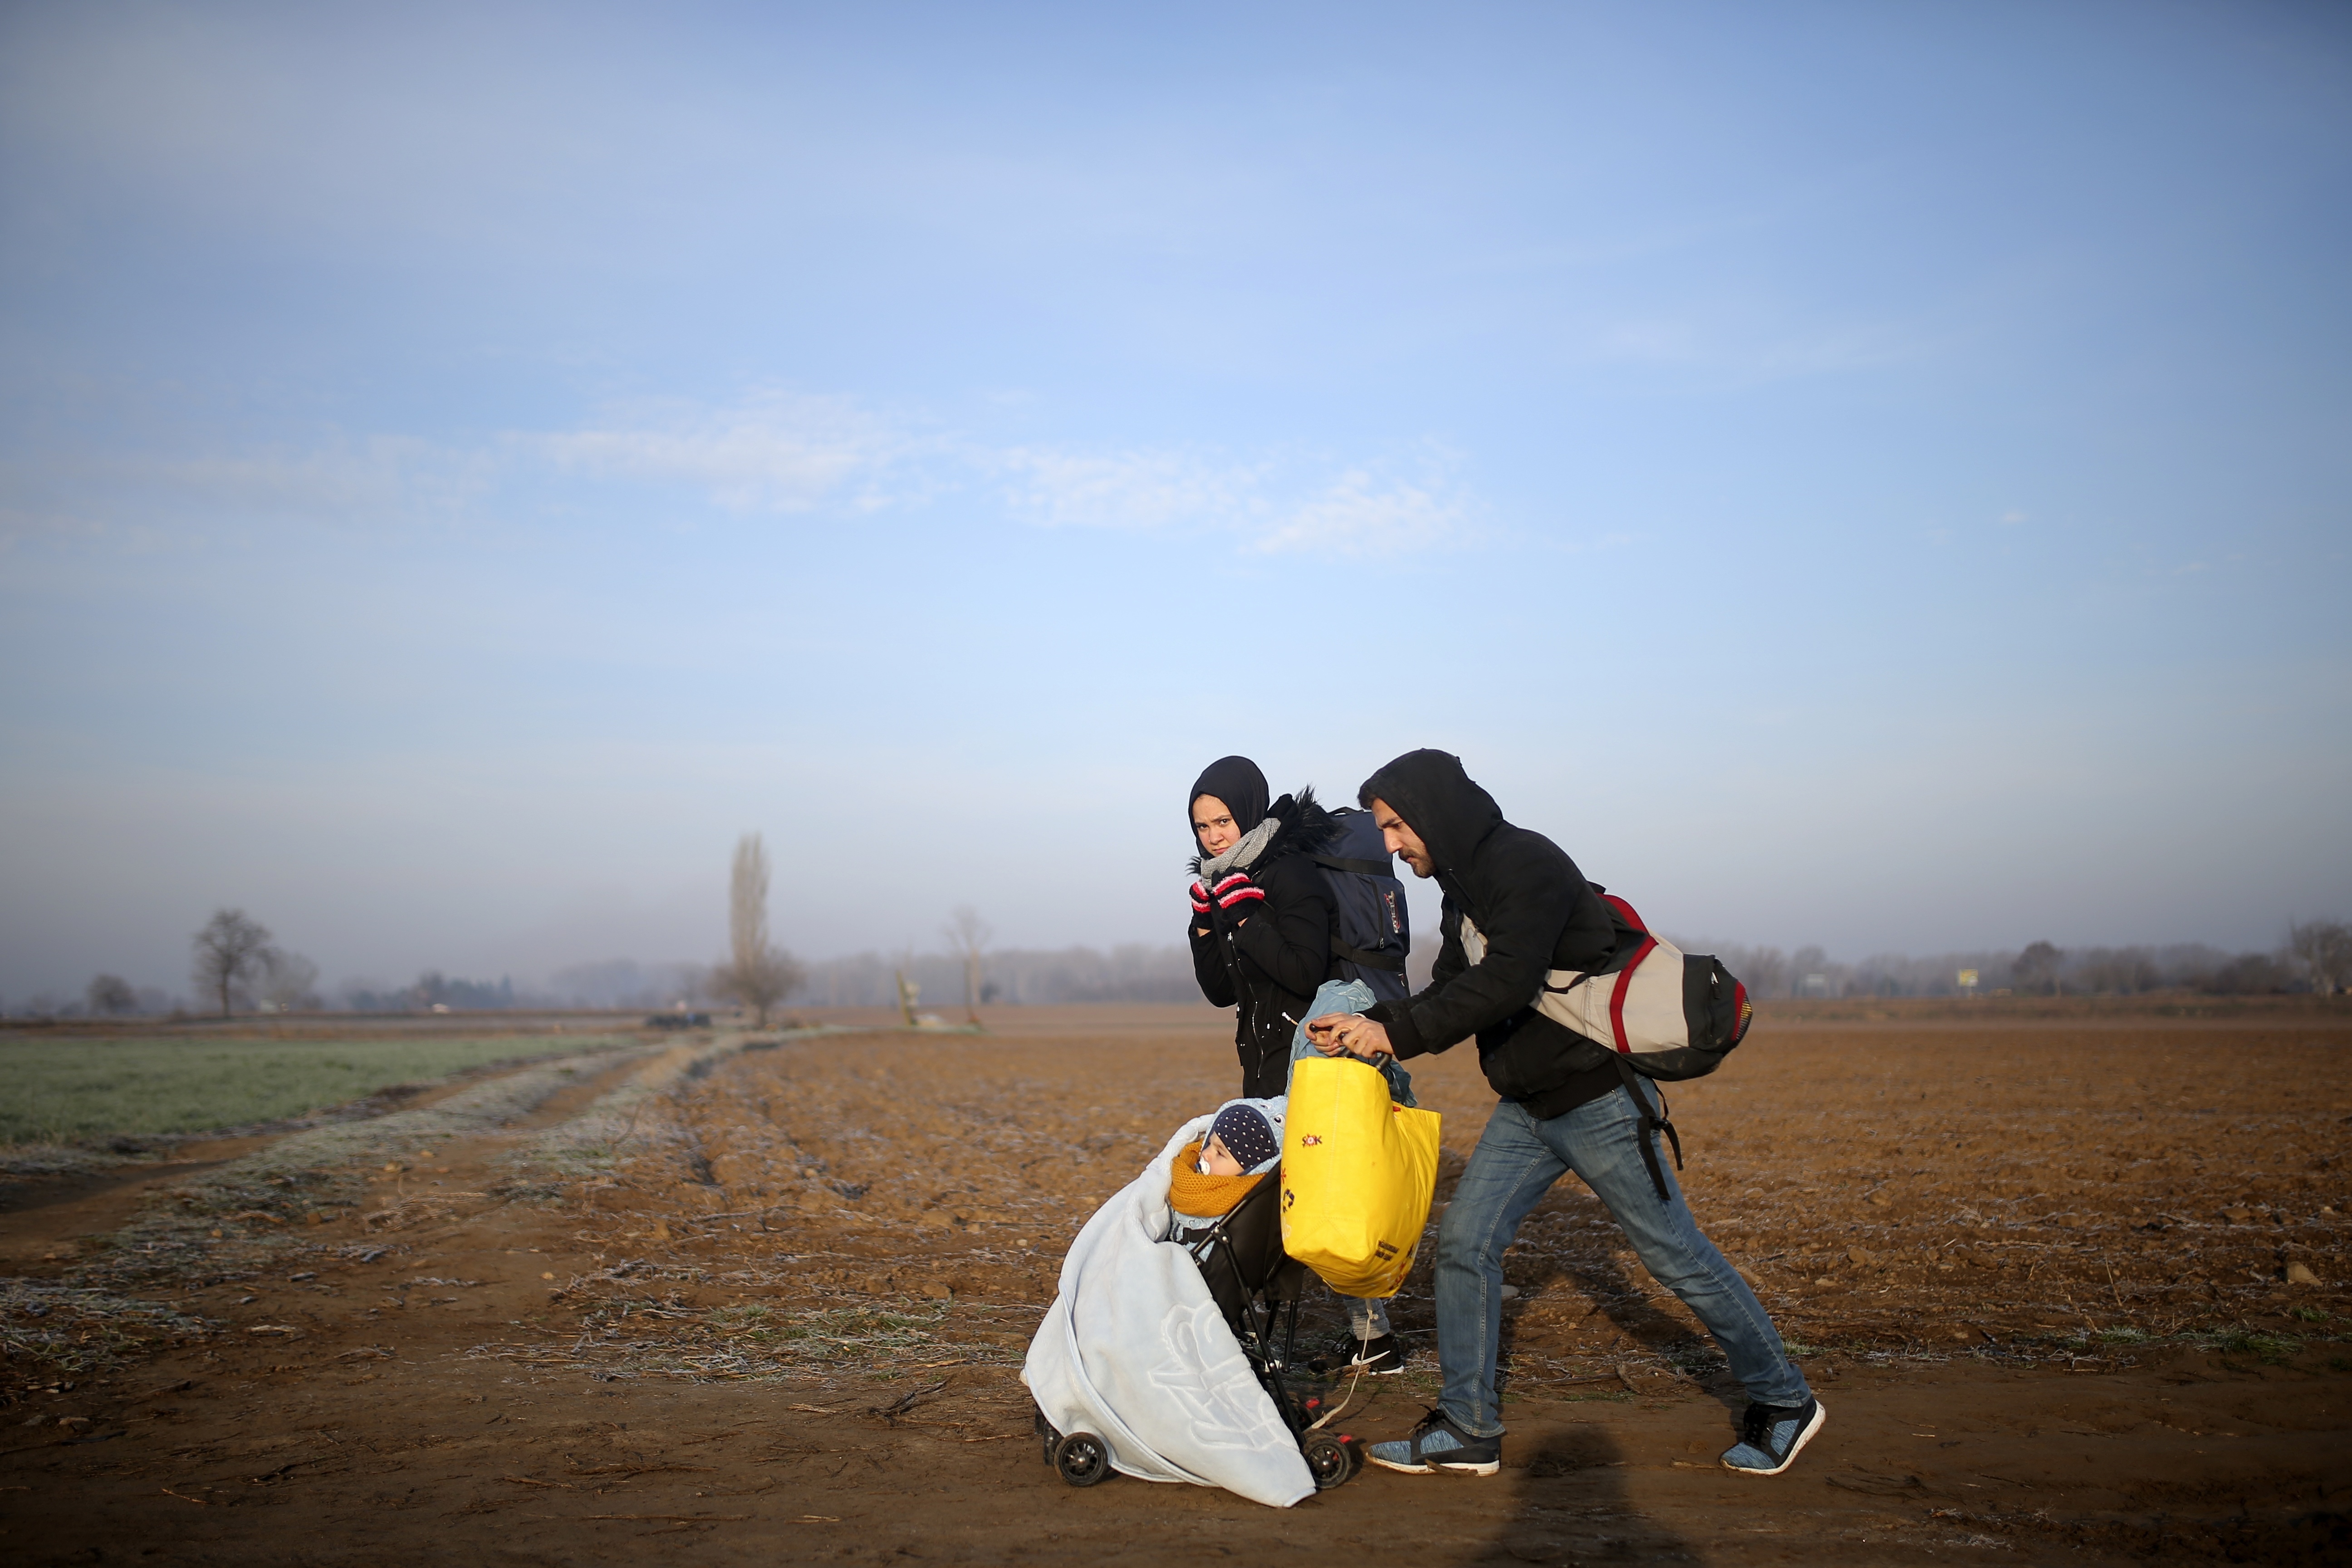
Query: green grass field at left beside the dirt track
76	1090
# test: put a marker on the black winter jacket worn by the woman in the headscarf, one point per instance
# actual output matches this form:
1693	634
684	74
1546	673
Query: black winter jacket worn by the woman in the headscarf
1269	958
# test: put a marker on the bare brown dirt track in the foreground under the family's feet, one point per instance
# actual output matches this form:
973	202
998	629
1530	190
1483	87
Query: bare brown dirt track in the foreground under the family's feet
295	1456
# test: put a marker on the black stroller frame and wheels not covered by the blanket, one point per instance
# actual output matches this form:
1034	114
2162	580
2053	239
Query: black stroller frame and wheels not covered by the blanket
1257	1289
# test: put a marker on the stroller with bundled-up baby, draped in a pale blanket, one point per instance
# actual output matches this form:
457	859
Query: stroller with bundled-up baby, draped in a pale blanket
1212	1391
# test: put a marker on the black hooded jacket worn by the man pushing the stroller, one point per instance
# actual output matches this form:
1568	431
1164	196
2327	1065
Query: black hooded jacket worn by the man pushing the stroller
1537	913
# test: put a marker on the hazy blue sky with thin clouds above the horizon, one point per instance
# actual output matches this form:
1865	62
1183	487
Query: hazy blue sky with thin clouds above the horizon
1859	476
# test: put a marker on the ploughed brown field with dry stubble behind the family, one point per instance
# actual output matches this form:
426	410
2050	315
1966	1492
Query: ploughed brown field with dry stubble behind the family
2029	1191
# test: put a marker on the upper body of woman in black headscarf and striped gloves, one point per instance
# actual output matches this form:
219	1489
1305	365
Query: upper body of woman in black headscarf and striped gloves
1262	913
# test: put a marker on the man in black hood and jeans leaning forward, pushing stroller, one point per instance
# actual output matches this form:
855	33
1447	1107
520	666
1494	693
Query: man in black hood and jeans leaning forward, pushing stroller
1565	1106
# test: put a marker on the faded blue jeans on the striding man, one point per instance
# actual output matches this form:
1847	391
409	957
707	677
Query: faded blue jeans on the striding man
1514	1167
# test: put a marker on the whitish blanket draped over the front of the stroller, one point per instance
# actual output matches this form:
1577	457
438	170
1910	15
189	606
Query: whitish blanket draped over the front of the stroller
1137	1353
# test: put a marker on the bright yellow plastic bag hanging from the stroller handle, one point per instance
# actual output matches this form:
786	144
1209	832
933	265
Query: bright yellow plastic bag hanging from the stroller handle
1358	1177
